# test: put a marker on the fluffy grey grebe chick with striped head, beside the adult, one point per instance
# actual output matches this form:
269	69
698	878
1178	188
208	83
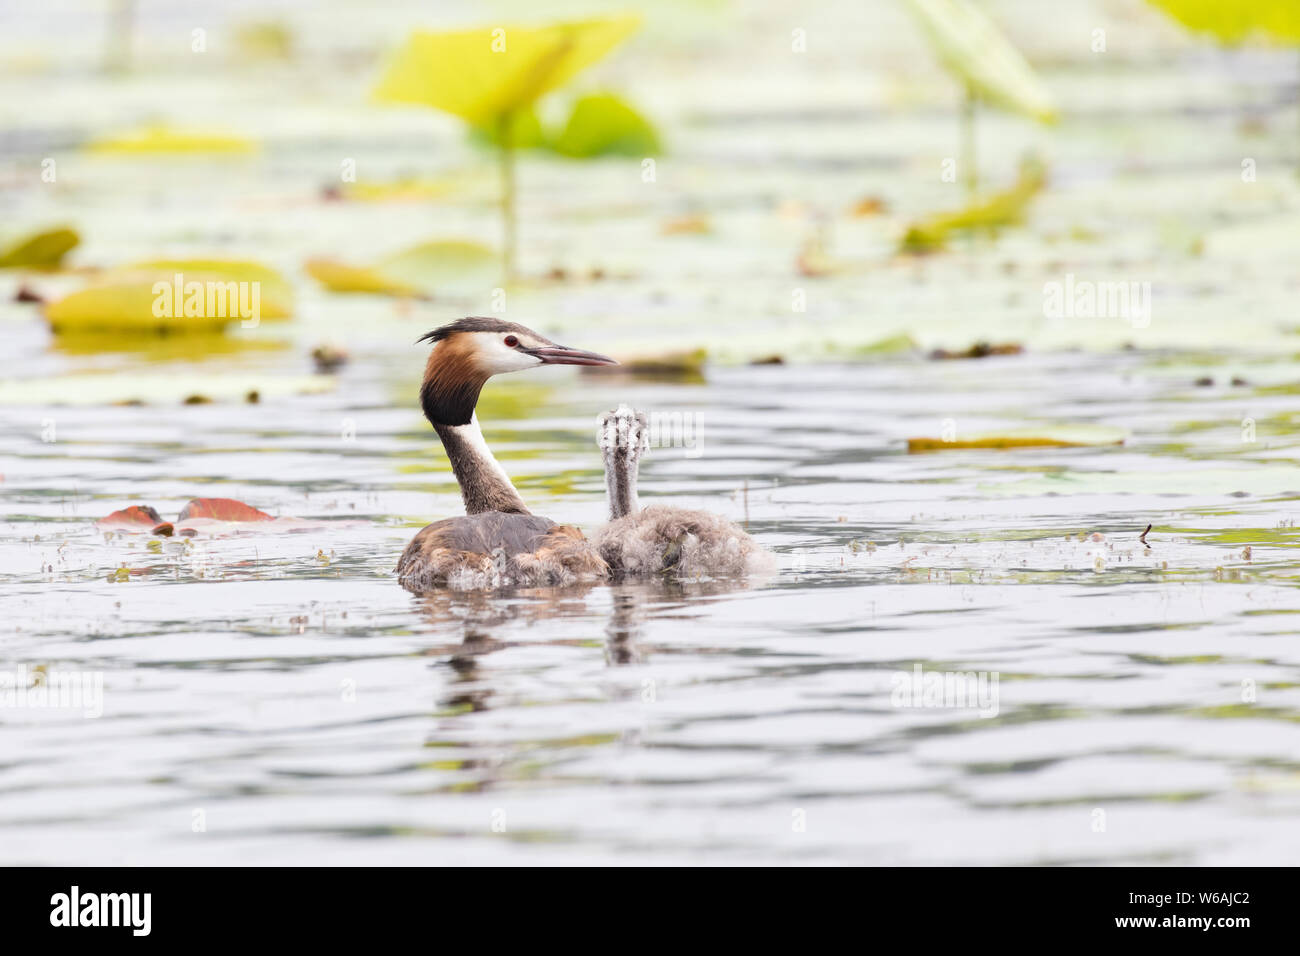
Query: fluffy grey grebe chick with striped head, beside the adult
660	538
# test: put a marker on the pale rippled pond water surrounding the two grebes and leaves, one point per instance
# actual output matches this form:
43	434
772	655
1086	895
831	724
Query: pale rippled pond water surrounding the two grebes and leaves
278	698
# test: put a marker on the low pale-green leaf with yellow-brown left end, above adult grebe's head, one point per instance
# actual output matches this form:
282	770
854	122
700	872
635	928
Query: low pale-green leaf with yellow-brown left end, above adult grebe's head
440	266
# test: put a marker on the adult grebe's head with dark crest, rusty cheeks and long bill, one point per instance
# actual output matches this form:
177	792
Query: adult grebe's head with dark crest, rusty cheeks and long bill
469	352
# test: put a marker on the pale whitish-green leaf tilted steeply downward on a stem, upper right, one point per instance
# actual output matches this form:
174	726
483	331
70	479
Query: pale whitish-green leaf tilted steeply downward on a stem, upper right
981	58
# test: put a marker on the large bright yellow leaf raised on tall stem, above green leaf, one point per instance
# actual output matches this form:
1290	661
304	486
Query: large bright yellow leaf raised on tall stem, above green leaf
487	73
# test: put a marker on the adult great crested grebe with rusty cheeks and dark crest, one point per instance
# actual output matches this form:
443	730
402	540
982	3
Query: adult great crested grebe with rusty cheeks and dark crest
499	543
